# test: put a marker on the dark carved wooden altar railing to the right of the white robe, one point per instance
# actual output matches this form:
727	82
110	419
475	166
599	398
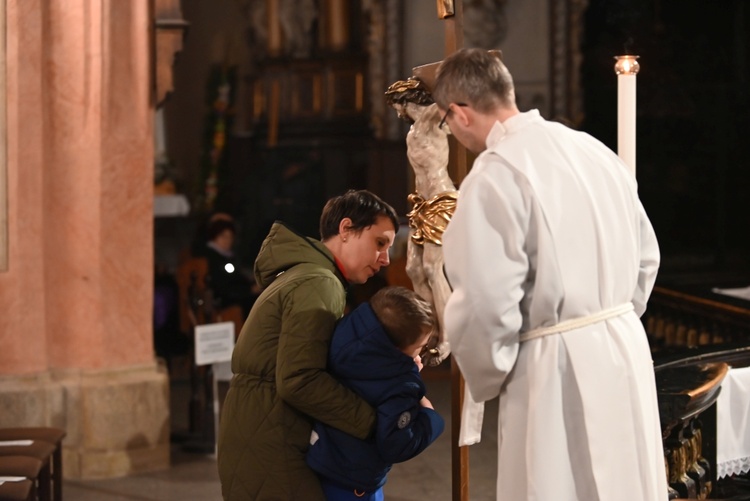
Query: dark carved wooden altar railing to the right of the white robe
696	335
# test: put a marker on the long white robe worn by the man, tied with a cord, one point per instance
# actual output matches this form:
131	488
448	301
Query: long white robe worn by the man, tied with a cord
548	227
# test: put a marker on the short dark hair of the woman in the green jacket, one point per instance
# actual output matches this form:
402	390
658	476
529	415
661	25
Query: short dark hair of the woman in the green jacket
361	206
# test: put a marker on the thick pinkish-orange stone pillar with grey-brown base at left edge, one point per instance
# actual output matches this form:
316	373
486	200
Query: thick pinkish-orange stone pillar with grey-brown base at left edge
78	294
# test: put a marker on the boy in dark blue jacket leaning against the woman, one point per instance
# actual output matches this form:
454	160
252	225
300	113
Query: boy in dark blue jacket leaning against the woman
375	351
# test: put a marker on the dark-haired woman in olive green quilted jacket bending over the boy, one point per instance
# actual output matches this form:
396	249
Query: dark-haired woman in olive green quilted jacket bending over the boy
280	384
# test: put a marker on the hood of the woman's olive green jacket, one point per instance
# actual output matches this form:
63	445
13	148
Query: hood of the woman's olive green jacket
284	248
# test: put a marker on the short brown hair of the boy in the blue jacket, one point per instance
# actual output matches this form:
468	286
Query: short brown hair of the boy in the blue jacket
405	316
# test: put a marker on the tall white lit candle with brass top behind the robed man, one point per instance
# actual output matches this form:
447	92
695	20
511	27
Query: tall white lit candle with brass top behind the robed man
626	68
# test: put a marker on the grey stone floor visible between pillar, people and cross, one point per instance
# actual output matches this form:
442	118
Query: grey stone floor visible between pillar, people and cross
193	476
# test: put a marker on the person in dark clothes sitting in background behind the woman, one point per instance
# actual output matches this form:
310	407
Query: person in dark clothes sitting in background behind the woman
227	280
